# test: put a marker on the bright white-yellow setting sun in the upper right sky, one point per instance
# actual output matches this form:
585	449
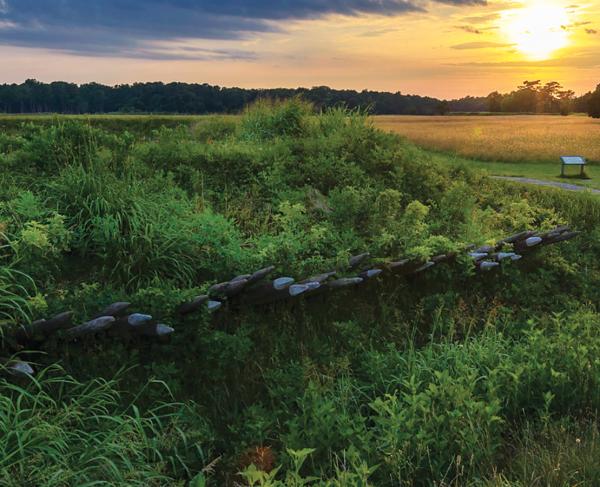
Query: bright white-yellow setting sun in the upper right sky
537	30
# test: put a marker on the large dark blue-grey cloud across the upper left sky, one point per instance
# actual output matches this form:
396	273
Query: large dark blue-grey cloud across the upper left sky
127	27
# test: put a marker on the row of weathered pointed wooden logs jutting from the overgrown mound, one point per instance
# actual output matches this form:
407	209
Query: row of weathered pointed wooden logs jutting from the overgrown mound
254	289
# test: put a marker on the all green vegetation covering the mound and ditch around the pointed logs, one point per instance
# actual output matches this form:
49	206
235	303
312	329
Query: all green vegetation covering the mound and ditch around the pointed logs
449	378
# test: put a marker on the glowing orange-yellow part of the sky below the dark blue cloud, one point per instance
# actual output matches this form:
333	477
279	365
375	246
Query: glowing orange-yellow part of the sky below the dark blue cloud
448	51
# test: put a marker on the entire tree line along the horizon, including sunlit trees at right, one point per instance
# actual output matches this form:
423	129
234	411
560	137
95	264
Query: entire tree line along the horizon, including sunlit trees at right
186	98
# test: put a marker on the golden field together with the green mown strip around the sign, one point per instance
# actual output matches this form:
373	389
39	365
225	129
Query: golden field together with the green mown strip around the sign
526	146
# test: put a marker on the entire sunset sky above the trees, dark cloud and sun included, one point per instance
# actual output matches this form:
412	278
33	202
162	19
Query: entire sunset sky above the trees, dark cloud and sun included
441	48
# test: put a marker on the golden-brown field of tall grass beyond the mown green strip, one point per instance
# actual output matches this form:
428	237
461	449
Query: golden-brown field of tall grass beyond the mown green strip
514	138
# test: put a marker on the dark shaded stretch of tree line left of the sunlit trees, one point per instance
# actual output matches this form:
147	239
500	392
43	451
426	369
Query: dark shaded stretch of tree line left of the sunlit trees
60	97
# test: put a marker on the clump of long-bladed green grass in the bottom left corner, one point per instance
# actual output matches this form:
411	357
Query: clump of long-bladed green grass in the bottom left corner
57	431
